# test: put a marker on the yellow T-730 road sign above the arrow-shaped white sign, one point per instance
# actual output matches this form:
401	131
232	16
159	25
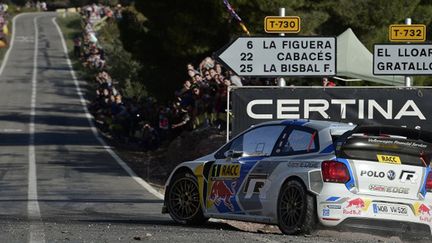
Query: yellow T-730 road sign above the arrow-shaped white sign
278	24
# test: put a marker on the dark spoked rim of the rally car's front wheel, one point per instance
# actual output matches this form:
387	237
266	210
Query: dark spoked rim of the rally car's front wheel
184	198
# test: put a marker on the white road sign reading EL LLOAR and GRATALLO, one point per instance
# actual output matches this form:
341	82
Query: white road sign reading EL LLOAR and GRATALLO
402	59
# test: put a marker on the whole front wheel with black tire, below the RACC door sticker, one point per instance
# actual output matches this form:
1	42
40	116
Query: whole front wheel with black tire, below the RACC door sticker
183	201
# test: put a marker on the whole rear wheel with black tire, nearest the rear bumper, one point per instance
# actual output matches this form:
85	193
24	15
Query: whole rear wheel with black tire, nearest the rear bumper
296	209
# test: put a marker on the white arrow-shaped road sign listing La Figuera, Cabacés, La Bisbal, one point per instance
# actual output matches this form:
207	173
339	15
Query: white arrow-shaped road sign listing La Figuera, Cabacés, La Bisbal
281	56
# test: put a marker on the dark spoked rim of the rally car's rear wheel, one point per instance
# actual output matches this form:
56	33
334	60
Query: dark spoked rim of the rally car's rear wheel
291	207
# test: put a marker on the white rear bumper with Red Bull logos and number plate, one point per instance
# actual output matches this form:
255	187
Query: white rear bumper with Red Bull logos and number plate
338	209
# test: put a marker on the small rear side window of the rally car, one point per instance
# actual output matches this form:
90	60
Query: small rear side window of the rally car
299	141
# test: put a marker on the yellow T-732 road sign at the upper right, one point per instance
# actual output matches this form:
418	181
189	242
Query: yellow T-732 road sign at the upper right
407	33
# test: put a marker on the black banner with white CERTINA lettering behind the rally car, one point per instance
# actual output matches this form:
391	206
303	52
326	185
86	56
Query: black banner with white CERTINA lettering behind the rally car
373	106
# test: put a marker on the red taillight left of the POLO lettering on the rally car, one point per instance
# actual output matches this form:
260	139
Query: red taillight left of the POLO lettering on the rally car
334	171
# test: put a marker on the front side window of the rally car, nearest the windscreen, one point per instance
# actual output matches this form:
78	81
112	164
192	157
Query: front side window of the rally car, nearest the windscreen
259	141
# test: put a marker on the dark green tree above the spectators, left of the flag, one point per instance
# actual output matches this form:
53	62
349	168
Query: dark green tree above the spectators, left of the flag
170	35
